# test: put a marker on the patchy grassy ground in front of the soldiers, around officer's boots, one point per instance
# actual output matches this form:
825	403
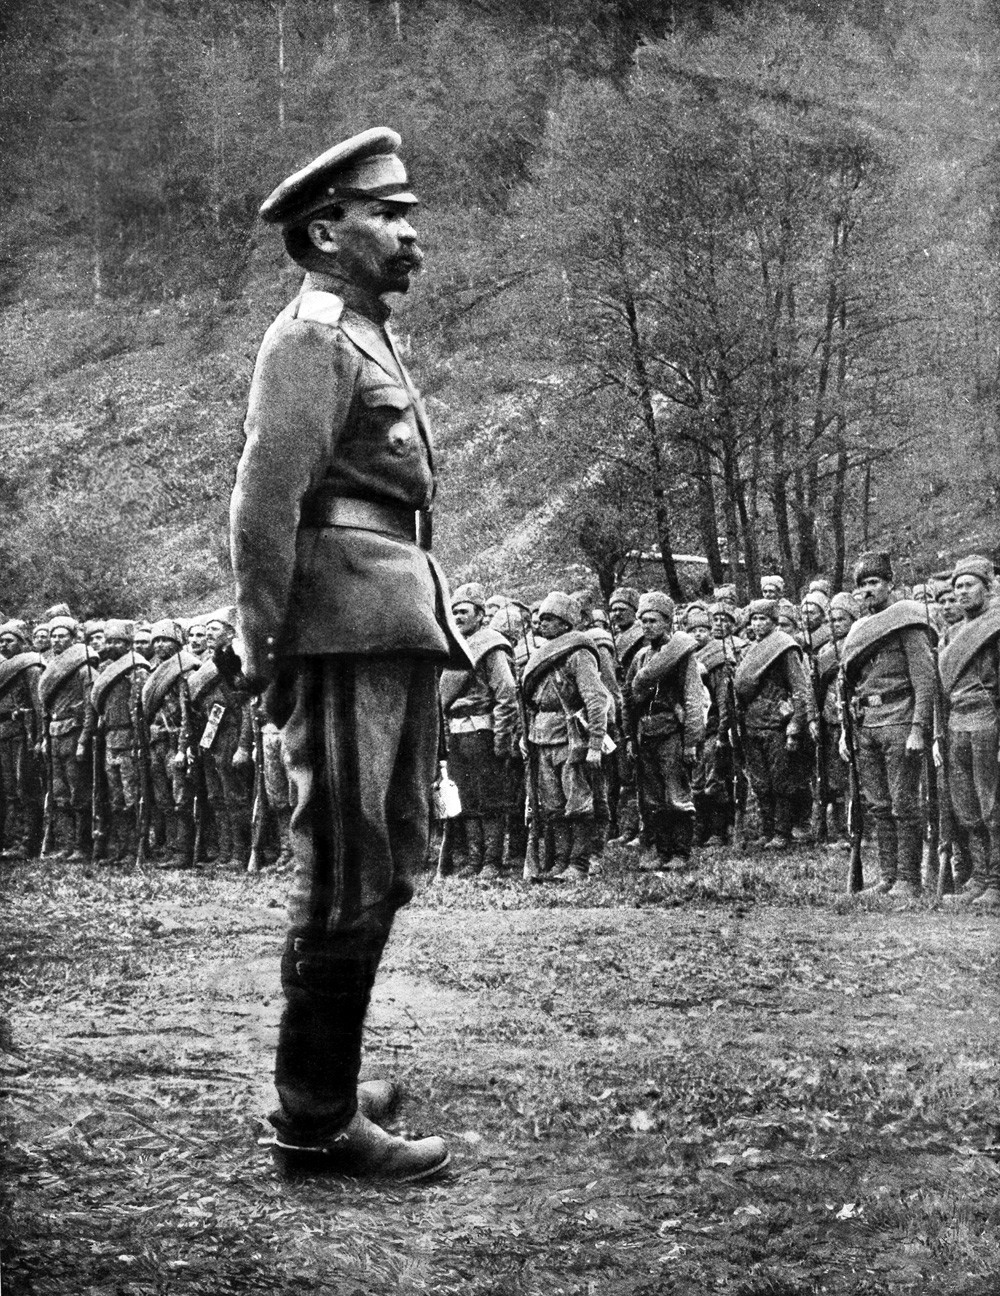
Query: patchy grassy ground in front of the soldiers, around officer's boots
650	1085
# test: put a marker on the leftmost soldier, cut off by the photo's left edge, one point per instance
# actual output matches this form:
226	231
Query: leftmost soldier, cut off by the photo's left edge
20	739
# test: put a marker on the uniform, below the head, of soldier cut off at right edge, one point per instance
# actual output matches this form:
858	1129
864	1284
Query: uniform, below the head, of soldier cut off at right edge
971	678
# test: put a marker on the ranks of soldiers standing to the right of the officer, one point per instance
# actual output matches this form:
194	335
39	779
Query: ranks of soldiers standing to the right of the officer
648	726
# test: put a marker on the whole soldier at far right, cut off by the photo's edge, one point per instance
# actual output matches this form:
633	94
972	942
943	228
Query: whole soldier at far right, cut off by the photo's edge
971	680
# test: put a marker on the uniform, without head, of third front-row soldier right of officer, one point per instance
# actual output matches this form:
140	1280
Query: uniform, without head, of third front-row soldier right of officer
664	698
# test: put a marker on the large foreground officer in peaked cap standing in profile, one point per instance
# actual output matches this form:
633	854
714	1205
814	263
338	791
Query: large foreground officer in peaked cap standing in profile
347	621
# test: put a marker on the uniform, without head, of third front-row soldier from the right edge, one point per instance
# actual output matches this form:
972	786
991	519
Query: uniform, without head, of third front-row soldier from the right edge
774	699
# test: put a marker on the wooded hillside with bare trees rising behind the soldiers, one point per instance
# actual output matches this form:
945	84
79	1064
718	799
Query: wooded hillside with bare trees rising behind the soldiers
714	278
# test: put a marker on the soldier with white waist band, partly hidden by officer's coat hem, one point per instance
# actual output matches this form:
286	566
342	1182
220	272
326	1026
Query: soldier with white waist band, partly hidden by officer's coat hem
480	708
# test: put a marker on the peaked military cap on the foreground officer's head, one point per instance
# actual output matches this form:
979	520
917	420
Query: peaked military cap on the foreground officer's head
366	167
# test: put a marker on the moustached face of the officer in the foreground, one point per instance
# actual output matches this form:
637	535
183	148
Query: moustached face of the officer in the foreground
374	243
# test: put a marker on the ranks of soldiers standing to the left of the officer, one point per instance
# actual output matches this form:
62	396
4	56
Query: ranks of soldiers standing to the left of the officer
124	742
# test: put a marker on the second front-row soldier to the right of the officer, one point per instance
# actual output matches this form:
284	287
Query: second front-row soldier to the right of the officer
568	715
